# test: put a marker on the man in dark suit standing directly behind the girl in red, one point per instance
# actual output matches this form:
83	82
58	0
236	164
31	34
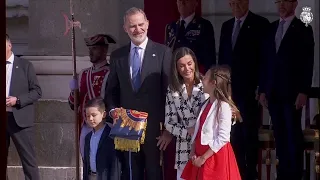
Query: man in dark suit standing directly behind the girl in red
240	48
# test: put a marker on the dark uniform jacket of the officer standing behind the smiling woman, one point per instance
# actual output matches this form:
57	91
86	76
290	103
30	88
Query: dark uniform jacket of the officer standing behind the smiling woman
198	36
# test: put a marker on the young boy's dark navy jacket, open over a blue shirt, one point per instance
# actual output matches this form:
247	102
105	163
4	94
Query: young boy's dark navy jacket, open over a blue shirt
107	162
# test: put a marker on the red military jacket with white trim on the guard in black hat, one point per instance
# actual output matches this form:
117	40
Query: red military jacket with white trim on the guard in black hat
92	83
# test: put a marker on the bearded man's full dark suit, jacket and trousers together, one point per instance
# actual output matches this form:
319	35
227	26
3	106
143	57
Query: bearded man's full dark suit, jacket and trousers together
150	98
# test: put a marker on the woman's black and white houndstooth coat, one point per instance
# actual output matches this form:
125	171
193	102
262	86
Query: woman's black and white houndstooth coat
180	114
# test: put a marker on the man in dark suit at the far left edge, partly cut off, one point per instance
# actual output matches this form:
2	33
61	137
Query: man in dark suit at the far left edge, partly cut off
22	90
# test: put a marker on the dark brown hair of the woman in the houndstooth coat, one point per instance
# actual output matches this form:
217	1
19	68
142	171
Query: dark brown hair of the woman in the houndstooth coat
176	80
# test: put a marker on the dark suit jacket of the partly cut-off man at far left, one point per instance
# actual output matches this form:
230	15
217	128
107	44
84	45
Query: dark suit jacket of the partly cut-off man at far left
24	86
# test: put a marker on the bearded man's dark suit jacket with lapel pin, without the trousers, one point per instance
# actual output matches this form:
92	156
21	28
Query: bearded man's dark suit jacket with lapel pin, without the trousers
150	97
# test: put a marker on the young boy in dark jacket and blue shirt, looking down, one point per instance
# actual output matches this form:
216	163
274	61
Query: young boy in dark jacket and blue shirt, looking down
100	159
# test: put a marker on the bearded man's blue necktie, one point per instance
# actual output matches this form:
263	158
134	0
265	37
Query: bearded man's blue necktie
136	69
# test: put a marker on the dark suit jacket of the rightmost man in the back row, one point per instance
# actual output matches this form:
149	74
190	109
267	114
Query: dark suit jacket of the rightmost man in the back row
289	71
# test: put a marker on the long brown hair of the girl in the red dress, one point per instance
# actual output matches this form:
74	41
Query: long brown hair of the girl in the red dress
222	92
